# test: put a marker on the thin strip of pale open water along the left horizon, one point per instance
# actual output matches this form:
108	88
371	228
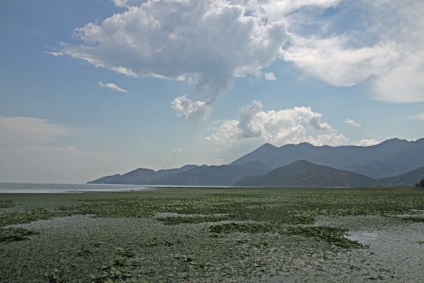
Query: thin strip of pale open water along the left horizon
65	188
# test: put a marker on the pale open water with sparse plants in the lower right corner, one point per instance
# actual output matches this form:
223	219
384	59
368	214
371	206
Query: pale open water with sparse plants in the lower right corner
394	250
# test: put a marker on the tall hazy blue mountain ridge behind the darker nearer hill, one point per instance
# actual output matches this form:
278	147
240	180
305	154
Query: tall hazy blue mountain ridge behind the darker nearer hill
389	158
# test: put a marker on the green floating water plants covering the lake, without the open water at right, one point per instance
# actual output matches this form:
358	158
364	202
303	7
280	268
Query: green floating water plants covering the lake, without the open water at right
267	220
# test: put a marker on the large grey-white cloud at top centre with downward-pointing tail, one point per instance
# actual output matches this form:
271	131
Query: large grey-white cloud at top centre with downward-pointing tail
206	43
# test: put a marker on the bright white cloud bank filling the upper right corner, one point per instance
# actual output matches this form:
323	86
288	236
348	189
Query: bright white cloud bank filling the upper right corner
384	51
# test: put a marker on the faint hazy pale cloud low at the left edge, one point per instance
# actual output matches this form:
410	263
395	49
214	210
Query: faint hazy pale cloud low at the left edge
23	131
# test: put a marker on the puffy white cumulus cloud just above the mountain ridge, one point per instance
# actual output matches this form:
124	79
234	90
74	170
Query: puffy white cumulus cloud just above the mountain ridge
278	127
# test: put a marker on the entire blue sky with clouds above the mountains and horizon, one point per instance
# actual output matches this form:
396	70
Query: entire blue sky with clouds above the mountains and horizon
95	88
